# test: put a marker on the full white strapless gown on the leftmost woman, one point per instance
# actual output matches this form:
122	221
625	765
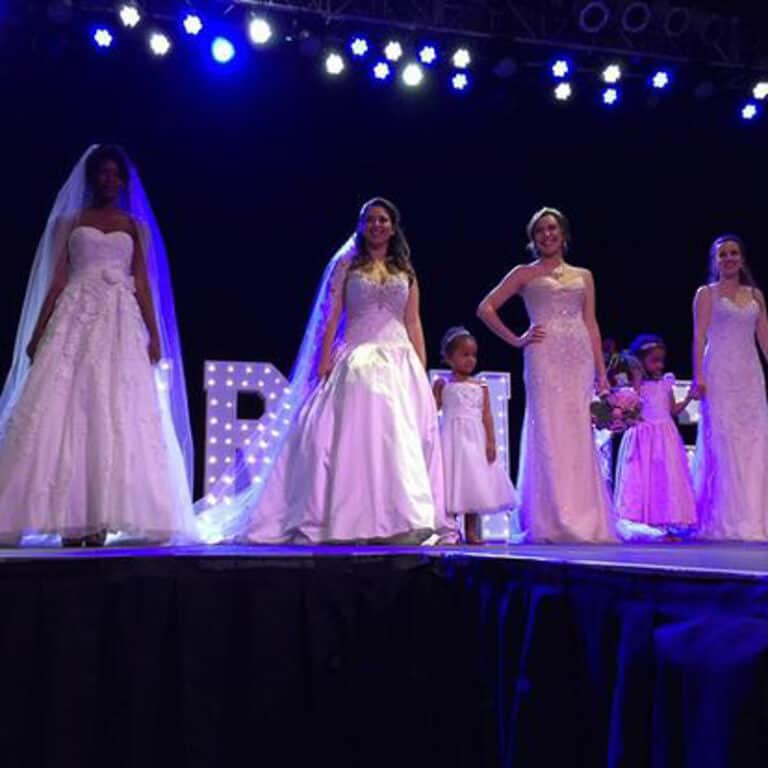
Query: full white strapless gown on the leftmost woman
85	448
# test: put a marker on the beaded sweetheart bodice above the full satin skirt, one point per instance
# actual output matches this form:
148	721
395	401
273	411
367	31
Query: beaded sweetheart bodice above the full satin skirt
375	309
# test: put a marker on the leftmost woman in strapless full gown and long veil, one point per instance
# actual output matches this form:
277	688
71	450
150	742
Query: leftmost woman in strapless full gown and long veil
94	438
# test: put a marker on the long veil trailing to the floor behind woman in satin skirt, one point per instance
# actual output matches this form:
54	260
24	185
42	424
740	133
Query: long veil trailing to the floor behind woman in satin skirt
225	511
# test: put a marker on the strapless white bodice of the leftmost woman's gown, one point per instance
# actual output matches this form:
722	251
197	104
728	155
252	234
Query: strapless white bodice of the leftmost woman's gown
104	257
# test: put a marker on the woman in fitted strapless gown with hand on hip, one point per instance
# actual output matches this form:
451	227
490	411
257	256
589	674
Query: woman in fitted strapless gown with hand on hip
563	496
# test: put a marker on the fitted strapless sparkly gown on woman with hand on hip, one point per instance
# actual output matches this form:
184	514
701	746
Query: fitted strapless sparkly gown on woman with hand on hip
563	496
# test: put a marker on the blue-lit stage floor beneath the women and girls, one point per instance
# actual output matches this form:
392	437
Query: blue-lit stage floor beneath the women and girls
705	559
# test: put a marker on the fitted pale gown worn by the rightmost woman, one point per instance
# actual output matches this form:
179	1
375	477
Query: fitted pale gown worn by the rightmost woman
731	462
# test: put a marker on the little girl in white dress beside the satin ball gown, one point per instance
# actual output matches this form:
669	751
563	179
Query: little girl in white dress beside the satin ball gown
475	482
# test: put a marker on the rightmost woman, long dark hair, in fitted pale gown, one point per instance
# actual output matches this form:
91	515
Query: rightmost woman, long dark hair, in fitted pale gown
730	477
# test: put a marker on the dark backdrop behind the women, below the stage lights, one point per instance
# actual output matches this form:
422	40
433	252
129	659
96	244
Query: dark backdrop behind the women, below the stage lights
256	173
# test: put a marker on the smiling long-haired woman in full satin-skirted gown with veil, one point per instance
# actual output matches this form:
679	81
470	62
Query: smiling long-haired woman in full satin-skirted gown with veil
362	461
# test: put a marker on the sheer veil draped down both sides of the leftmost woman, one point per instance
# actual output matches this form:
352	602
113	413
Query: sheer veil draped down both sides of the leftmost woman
70	201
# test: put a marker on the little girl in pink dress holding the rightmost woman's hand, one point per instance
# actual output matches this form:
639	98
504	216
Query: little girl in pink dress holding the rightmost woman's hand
653	482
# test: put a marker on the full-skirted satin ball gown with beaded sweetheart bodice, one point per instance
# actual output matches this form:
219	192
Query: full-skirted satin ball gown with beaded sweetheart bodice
363	459
